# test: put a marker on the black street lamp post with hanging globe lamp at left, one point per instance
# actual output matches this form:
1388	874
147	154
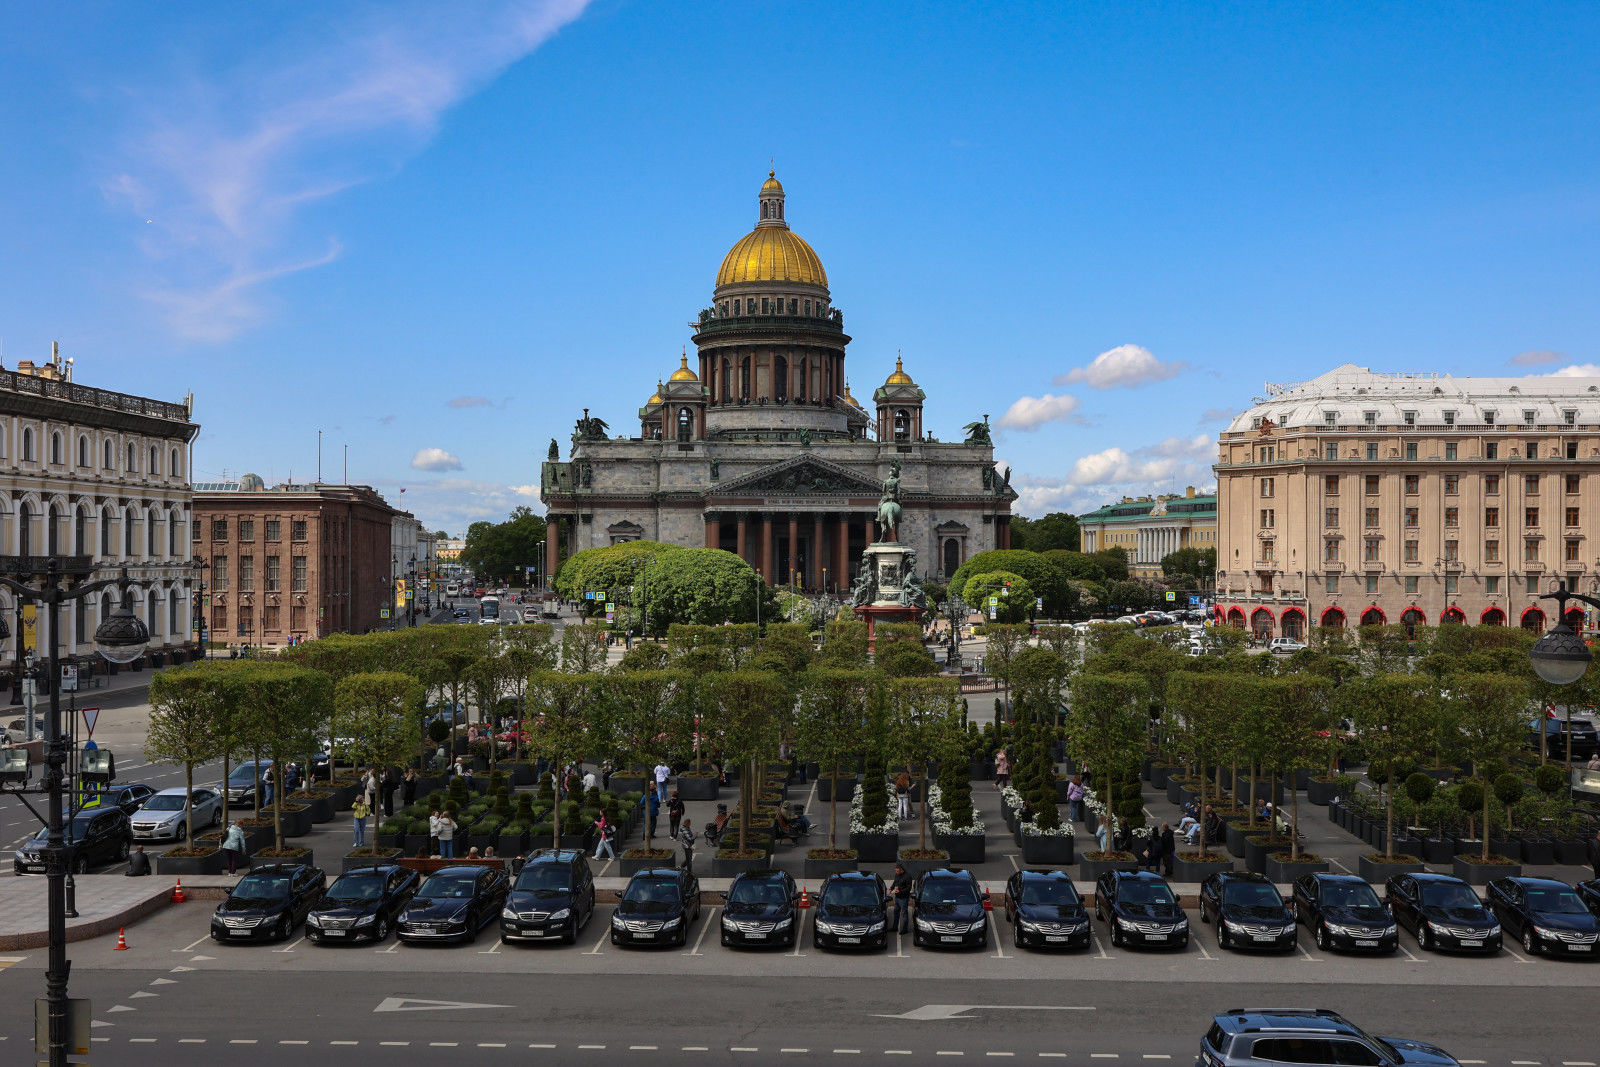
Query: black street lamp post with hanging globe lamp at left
121	637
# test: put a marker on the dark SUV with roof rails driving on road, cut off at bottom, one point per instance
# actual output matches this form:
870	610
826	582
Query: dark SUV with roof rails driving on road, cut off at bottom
1249	1037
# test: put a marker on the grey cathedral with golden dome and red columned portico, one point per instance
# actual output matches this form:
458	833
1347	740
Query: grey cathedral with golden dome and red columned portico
762	450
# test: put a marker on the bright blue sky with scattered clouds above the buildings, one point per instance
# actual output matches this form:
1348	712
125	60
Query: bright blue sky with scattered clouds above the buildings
438	233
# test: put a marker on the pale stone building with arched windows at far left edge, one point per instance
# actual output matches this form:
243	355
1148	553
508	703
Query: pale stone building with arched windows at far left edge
103	474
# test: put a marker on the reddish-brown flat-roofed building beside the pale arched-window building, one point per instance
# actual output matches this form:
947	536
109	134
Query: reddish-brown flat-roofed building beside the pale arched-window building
295	561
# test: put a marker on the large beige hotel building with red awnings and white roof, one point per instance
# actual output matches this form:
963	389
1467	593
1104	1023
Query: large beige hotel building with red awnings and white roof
1361	498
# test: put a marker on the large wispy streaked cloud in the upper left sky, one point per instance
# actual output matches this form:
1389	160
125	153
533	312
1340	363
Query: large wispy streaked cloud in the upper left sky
217	170
